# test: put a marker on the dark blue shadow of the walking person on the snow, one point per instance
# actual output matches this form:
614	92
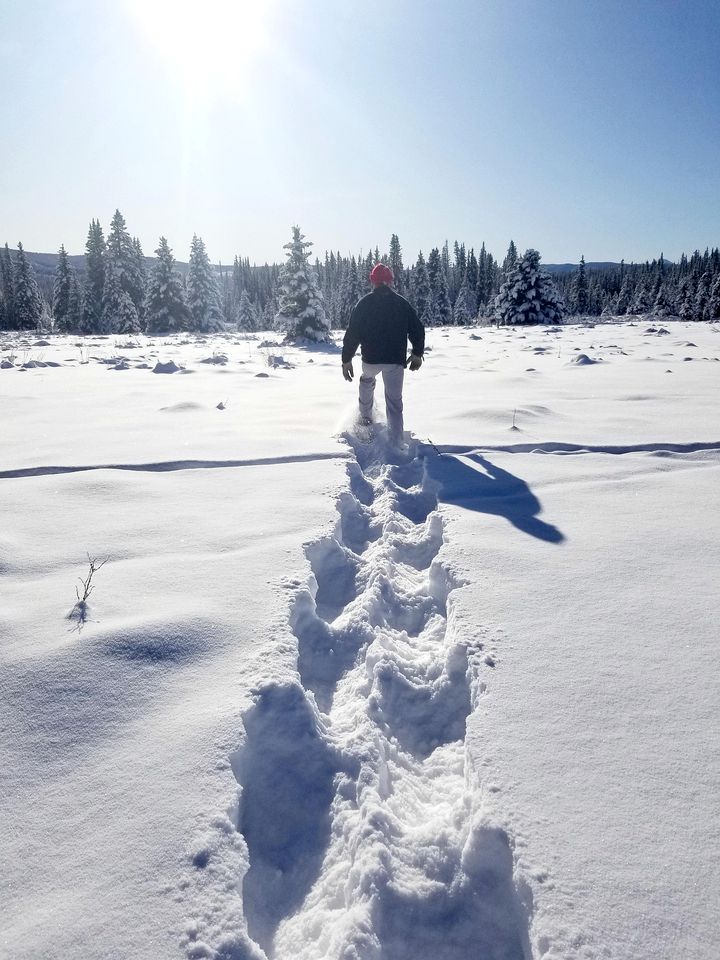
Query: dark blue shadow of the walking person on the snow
489	489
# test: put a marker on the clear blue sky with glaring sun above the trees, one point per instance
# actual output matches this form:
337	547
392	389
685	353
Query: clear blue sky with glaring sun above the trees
574	126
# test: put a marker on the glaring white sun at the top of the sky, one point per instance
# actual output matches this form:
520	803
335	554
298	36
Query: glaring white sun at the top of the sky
210	46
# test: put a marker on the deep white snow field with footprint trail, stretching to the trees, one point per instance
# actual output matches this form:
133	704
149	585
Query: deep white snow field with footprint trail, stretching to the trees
332	702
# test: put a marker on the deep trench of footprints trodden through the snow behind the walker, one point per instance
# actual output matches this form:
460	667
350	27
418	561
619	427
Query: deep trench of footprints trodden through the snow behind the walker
359	806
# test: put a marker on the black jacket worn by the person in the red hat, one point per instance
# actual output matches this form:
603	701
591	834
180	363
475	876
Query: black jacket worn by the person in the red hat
381	324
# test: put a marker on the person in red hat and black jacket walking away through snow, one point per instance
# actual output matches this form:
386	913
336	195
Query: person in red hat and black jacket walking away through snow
381	324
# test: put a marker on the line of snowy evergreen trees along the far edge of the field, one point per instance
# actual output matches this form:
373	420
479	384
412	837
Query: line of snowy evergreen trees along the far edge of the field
121	292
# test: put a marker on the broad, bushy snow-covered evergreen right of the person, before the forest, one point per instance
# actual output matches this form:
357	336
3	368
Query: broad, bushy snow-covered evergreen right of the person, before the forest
528	295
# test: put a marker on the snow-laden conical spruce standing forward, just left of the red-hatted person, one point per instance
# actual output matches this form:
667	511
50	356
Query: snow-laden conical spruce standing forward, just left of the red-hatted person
302	311
